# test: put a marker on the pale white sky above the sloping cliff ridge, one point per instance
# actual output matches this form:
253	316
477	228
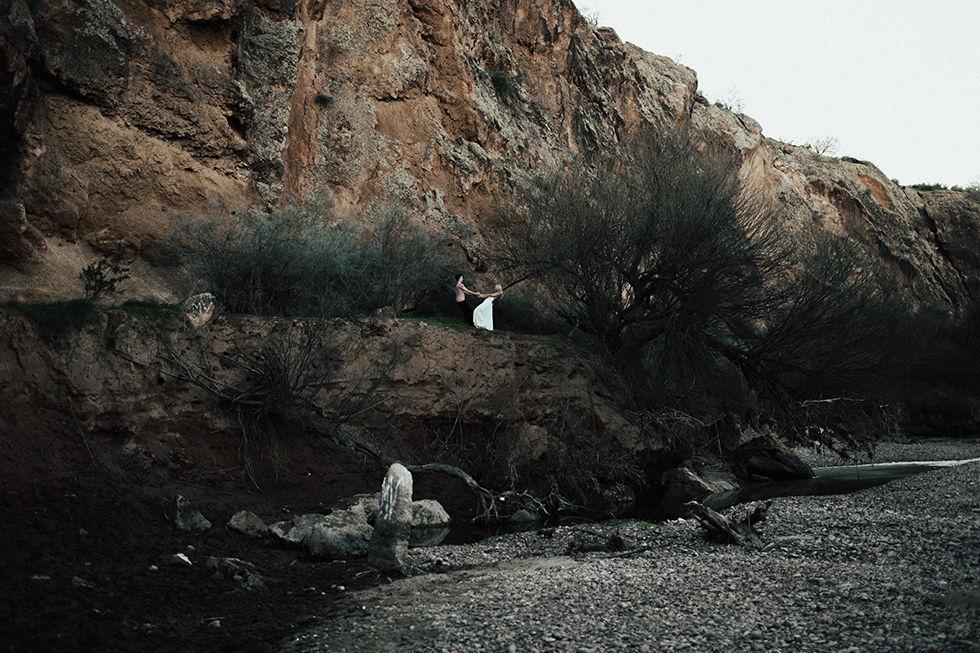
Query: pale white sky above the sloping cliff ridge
896	82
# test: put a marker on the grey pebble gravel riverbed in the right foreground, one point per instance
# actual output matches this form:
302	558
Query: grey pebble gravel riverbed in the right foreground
892	568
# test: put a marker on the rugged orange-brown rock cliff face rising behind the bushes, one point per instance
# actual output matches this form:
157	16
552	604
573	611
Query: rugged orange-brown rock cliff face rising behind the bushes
116	113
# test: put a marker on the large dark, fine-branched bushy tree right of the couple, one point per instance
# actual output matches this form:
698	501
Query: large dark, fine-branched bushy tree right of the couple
679	277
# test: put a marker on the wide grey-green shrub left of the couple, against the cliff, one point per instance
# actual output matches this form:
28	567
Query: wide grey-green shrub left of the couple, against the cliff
299	260
